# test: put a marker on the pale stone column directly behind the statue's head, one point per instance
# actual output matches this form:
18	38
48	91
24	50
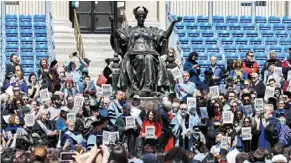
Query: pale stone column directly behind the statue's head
152	17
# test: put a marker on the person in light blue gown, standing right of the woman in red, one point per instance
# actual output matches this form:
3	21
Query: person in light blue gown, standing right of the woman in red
183	125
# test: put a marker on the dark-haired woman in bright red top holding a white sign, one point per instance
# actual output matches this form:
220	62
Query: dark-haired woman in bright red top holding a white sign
152	119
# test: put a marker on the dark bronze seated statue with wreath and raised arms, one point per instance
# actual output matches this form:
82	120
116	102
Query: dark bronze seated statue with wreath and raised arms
142	70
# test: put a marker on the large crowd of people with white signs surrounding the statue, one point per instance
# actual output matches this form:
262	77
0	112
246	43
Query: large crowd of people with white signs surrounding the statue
182	133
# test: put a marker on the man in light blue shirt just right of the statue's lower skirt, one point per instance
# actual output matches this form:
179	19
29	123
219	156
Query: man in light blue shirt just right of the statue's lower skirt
186	88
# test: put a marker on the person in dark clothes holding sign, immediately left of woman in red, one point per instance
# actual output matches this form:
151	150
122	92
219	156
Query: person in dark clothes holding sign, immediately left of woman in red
127	132
